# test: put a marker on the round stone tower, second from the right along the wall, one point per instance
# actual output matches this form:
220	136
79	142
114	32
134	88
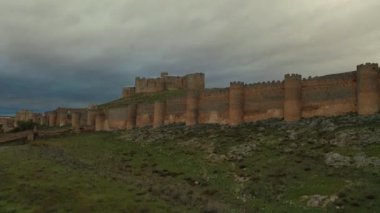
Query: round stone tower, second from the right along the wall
292	99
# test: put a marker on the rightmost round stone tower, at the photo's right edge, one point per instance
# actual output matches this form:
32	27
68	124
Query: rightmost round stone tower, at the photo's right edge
368	89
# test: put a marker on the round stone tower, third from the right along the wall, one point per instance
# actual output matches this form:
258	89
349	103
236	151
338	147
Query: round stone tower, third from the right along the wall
236	97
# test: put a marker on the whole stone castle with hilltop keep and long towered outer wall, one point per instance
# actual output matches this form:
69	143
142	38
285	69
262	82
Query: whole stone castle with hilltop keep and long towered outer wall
291	99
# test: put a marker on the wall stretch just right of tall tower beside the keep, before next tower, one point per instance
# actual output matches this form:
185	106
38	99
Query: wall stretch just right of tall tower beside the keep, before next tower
214	106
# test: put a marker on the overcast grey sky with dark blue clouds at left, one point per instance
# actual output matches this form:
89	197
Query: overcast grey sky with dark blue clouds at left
74	53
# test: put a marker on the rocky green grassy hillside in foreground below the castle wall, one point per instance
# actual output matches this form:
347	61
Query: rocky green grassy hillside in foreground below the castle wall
314	165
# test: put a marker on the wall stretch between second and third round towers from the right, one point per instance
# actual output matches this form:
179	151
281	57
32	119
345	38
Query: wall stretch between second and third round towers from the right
263	101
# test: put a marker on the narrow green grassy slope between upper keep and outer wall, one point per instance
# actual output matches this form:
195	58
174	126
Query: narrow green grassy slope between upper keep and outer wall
143	98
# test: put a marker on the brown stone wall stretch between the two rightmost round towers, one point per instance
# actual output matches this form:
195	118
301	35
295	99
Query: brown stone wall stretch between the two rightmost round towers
329	95
